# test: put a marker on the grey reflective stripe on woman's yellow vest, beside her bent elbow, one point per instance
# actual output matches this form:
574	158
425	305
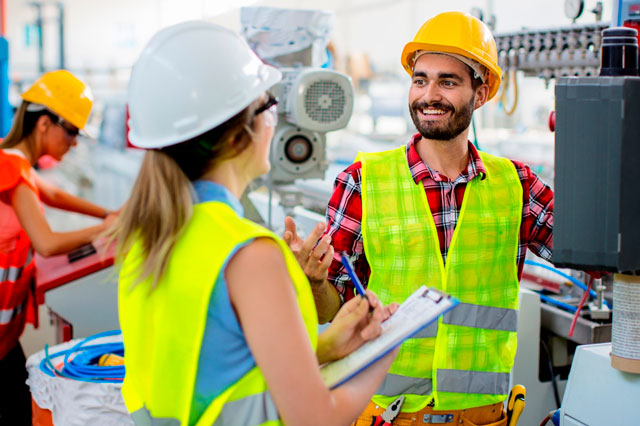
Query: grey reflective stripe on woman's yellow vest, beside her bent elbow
248	411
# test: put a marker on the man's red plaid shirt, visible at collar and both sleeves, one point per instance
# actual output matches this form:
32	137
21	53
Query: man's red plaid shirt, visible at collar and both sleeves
344	213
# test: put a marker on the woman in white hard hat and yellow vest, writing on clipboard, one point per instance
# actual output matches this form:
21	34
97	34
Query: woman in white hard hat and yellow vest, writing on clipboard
218	319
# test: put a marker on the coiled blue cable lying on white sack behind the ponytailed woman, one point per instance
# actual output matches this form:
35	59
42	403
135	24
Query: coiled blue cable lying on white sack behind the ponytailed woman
82	367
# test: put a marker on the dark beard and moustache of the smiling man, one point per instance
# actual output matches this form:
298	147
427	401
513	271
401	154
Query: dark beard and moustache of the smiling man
457	123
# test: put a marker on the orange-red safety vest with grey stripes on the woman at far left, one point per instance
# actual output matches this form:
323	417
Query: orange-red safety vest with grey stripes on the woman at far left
17	267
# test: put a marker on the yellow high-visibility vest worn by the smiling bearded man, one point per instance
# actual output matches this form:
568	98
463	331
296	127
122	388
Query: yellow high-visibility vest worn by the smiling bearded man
464	360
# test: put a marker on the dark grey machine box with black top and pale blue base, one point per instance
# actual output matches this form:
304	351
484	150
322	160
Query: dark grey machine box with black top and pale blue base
596	126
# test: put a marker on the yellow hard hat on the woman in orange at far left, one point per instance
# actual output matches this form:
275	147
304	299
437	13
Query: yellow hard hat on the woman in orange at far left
64	94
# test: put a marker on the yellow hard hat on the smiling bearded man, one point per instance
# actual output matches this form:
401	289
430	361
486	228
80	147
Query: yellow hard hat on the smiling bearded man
460	33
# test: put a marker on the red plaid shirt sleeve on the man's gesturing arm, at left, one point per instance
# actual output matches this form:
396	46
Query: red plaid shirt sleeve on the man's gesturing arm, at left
344	217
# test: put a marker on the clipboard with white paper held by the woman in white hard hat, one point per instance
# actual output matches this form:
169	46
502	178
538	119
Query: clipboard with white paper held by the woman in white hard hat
420	309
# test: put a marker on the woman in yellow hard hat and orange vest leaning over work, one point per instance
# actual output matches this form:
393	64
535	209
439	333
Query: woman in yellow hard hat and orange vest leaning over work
47	122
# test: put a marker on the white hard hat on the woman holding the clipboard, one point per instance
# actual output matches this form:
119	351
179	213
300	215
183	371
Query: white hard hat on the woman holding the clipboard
190	78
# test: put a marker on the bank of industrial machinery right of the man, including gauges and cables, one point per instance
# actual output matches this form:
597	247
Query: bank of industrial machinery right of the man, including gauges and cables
595	68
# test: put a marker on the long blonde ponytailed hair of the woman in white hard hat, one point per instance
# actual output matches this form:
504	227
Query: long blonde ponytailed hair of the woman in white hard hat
161	201
